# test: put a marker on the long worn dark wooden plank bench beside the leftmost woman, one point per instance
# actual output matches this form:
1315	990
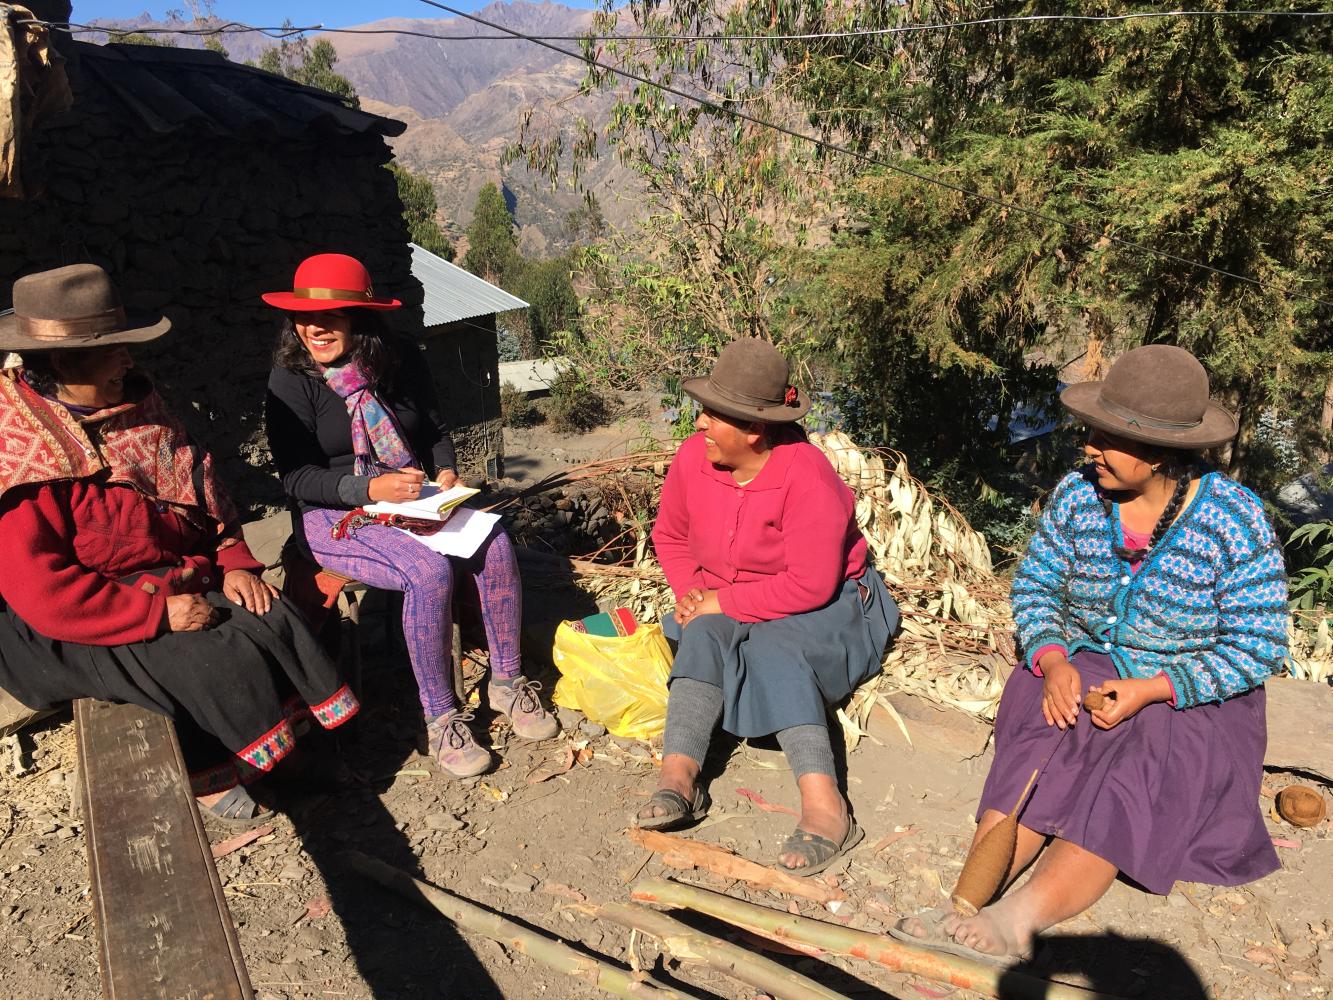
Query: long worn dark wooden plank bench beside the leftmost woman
165	931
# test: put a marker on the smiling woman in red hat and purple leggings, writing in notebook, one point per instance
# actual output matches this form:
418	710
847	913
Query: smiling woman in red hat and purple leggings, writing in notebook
353	419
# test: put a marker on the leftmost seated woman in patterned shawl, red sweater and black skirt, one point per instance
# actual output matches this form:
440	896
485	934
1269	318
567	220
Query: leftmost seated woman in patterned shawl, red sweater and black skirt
126	574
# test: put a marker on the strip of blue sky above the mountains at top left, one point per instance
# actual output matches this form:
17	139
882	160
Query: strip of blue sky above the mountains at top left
334	14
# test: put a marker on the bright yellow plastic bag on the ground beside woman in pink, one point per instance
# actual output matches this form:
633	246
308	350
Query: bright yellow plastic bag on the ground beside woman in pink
619	682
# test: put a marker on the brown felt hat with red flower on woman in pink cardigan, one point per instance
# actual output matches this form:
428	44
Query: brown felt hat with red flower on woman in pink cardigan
750	382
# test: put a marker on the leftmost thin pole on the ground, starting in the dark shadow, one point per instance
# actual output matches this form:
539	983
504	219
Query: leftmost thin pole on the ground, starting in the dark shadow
550	953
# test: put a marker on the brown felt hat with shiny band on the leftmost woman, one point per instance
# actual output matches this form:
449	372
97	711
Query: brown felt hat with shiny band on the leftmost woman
71	307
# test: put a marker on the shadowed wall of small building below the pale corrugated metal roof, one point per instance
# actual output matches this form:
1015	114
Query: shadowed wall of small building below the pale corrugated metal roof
465	359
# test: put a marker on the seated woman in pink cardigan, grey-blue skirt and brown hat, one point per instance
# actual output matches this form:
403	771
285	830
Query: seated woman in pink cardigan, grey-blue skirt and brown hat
779	611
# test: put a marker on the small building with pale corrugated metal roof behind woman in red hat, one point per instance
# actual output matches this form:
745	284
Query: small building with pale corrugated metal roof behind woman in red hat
461	343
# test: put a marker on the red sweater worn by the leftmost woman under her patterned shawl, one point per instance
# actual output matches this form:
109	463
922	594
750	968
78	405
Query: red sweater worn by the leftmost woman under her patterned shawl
63	547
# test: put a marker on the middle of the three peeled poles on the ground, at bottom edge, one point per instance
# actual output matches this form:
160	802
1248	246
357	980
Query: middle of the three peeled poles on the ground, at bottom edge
688	945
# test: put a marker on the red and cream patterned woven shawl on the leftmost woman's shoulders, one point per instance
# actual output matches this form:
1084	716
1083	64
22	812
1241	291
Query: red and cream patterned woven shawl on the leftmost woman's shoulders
139	443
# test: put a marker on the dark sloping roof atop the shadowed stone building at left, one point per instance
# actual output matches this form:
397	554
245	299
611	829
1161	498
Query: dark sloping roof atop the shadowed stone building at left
174	89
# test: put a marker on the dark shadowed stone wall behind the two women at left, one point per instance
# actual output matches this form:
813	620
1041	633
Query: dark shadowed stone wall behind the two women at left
197	225
